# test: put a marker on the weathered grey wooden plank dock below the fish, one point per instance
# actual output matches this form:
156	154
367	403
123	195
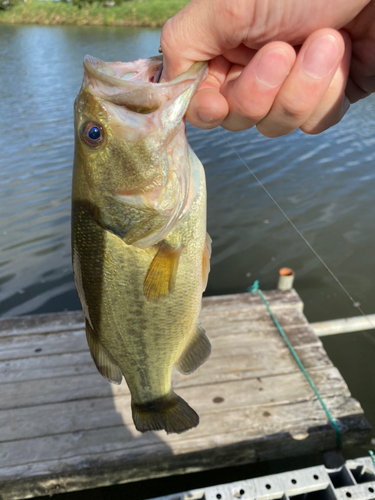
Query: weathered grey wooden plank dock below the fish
64	428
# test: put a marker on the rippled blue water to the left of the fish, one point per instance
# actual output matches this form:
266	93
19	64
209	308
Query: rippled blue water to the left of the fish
42	76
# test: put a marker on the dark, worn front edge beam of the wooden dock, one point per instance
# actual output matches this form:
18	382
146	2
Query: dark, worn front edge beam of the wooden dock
74	478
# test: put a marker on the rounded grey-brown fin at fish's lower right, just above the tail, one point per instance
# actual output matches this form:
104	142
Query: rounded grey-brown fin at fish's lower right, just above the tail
196	352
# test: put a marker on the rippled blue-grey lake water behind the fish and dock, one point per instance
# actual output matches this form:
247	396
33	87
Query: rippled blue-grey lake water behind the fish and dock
324	183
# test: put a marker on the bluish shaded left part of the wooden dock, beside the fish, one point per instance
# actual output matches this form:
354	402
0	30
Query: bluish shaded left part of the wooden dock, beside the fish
61	423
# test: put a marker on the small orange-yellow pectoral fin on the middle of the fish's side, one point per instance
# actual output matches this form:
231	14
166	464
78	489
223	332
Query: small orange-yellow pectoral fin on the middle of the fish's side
161	275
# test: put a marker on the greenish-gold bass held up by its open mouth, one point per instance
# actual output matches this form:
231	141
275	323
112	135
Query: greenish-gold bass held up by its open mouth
140	250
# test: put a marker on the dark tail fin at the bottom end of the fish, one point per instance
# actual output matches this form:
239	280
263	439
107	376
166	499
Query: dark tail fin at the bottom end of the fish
170	412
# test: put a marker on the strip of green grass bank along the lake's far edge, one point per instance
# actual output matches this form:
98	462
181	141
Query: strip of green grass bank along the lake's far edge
152	13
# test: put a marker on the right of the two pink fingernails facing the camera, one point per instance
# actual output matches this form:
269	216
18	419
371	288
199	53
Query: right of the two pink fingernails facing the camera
320	57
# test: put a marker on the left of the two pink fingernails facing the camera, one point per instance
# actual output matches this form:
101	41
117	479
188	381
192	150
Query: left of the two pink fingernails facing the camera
272	68
